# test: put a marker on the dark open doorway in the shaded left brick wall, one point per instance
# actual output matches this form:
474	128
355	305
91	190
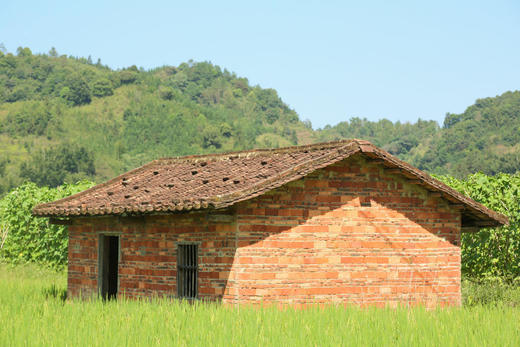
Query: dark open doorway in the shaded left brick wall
109	263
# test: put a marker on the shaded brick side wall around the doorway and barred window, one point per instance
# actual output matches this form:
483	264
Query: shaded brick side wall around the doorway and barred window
148	264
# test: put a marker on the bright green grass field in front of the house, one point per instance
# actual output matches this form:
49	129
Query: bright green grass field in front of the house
31	314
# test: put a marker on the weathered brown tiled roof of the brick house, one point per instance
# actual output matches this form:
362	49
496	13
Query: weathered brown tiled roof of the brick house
221	180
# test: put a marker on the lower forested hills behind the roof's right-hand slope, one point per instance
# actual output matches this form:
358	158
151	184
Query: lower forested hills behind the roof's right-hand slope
486	138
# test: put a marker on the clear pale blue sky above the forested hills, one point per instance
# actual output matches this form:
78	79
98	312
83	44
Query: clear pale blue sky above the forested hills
328	60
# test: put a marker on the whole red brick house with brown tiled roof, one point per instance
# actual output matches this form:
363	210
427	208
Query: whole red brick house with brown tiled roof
341	222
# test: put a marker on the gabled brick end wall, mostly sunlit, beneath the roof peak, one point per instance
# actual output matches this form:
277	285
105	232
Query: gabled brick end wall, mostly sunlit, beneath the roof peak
312	240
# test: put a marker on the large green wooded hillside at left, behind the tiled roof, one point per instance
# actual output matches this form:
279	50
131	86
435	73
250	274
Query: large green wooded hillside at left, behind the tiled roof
64	118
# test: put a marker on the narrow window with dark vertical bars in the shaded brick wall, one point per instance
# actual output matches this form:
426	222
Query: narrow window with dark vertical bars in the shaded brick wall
187	271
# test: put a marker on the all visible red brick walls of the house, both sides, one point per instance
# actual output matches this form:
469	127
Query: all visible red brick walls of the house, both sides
312	240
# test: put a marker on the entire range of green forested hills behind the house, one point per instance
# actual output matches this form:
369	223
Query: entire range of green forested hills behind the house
64	118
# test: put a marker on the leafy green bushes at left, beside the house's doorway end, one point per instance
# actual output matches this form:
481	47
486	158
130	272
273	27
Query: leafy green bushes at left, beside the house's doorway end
25	238
